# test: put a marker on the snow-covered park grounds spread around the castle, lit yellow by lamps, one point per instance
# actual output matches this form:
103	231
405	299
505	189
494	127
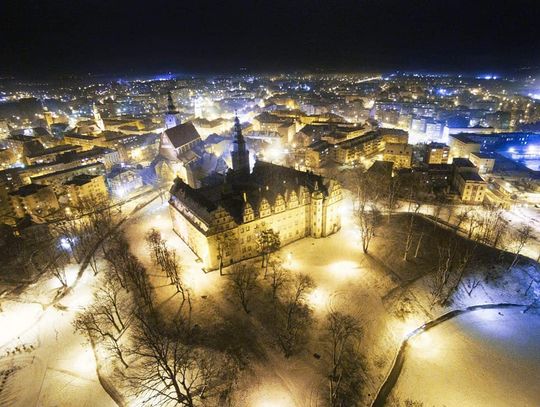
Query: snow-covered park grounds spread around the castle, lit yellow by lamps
52	364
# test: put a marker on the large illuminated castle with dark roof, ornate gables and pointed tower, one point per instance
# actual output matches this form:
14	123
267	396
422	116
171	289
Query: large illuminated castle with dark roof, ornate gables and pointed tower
220	223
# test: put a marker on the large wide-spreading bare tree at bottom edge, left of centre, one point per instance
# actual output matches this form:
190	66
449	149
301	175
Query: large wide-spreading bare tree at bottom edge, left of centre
167	372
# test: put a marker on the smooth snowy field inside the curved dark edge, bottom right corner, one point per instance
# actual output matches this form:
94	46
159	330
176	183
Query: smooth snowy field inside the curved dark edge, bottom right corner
483	358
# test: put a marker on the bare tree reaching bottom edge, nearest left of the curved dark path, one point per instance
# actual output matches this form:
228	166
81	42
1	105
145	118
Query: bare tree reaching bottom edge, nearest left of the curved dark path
342	333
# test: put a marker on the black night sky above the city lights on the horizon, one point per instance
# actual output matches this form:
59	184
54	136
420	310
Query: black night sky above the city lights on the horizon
58	37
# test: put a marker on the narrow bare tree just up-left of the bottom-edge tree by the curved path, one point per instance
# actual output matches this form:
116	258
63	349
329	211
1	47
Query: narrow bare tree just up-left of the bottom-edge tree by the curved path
295	315
